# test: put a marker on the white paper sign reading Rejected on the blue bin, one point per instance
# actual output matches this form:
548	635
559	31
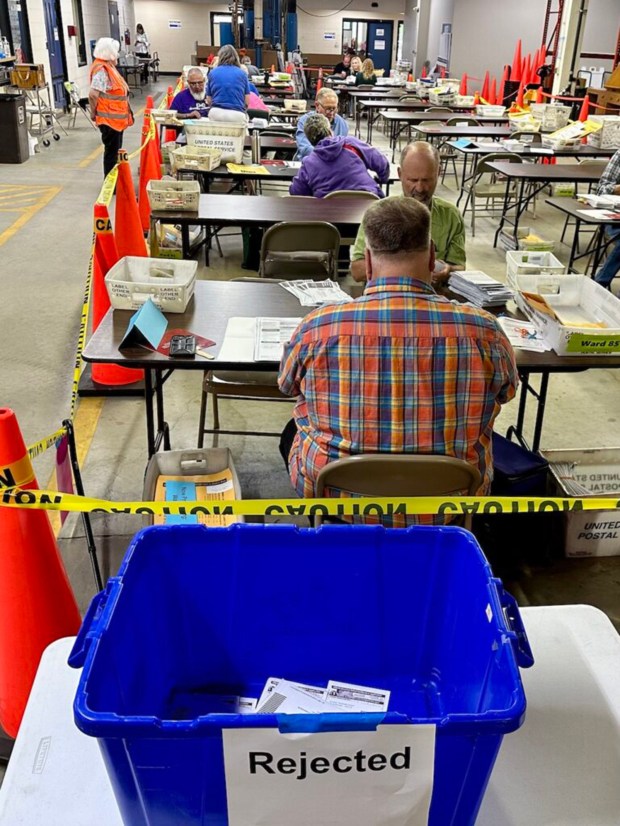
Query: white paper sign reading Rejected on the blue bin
366	778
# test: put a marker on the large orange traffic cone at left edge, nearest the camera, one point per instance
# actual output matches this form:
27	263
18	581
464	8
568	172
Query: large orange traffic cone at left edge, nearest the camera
37	605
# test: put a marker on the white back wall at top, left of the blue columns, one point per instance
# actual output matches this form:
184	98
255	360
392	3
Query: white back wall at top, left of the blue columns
176	46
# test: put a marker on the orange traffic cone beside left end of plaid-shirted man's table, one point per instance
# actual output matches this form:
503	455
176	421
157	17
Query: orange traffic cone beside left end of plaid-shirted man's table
105	255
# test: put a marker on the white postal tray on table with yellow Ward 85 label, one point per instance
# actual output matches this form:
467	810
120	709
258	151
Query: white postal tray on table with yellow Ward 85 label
576	316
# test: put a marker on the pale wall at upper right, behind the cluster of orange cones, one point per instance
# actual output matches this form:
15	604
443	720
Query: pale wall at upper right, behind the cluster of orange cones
485	35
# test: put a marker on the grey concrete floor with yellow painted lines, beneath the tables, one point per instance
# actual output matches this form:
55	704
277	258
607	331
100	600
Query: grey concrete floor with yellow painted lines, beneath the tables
45	239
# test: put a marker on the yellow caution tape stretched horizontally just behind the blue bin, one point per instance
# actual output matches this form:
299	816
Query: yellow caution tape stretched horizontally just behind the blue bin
14	497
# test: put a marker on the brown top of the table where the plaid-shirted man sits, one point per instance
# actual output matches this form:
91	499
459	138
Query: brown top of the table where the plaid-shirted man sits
214	302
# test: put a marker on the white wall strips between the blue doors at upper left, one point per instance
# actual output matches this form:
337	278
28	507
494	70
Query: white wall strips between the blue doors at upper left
96	24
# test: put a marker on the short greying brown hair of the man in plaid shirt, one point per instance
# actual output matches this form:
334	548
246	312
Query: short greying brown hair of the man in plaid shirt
397	226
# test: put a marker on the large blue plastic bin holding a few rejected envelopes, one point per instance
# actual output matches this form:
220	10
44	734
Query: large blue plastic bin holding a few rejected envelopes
199	611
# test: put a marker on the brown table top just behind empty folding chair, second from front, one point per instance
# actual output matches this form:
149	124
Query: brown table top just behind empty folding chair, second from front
265	210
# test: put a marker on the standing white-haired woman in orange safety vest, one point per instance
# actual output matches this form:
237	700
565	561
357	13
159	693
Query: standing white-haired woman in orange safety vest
109	100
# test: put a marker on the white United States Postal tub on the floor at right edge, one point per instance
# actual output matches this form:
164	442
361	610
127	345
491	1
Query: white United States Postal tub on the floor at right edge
588	533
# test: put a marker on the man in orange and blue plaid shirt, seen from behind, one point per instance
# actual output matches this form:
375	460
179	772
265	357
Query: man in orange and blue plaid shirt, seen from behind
400	369
